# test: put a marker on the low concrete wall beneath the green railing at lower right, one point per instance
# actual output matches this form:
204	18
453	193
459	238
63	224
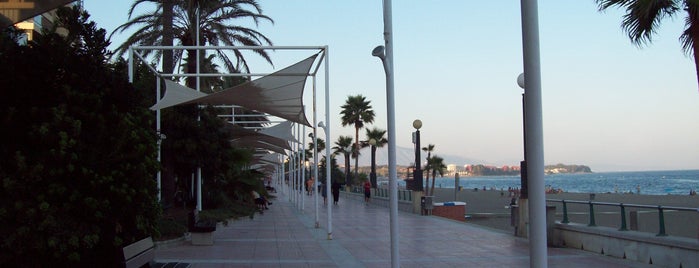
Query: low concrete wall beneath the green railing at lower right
665	251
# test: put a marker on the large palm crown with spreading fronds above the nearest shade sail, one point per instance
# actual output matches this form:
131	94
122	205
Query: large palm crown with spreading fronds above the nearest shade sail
216	26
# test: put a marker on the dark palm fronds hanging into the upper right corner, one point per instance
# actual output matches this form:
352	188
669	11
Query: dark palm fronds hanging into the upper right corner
643	17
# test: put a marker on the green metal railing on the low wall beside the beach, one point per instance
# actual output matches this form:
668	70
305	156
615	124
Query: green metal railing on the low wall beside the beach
622	207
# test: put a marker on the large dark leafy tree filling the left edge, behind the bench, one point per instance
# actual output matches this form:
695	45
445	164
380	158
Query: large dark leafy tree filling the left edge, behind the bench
78	172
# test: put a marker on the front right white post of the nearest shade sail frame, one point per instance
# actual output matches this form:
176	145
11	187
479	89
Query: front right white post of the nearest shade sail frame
328	166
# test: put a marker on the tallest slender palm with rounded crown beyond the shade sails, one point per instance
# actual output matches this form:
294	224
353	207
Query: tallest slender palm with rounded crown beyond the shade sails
356	111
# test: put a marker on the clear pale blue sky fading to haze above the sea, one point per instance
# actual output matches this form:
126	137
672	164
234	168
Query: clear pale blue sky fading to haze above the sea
607	103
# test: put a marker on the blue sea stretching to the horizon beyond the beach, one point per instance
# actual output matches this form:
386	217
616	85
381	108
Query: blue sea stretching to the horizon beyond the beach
674	182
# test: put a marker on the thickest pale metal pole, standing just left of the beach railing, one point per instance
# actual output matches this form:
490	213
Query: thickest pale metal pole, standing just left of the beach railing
534	134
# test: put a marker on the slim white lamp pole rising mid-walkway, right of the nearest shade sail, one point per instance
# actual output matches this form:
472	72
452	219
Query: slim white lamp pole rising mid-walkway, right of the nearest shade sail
390	100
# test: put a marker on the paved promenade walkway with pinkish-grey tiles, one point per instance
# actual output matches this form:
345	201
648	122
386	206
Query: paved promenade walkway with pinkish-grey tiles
285	236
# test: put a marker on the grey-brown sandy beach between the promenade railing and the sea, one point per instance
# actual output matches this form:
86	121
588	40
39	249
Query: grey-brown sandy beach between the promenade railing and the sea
490	209
